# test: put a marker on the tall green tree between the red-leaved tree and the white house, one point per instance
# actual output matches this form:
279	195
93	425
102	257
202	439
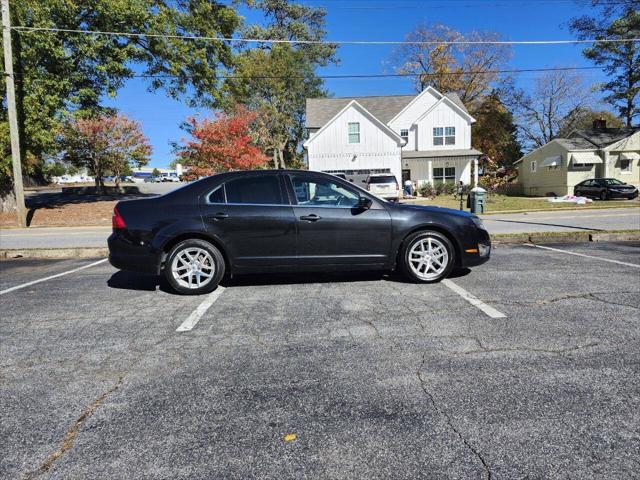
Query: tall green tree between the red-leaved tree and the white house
276	79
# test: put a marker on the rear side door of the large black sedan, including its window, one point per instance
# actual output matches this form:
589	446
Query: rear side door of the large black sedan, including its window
252	216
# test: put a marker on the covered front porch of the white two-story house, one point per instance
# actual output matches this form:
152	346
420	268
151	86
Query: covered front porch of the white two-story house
430	167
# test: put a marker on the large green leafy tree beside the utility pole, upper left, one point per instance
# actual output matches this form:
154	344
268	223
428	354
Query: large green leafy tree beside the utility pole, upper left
58	72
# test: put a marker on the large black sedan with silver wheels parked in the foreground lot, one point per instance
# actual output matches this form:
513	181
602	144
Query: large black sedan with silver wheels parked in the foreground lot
264	221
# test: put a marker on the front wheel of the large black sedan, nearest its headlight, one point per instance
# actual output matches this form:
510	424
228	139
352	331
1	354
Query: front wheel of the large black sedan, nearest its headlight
425	269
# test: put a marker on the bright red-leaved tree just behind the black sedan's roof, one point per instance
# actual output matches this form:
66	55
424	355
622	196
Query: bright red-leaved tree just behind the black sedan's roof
221	144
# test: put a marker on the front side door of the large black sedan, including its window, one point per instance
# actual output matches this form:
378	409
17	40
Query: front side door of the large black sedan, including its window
331	229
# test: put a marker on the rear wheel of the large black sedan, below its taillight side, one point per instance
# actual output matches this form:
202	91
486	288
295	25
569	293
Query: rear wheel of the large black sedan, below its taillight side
194	267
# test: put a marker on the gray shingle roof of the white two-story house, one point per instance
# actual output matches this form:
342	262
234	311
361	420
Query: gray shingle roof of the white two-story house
384	108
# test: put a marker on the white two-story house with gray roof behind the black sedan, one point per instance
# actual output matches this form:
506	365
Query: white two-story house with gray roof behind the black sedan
424	137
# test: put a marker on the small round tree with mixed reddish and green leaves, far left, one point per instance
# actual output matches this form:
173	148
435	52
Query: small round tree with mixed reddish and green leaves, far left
108	144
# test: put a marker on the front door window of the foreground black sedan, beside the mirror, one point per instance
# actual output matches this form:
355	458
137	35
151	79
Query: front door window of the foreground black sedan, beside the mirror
322	192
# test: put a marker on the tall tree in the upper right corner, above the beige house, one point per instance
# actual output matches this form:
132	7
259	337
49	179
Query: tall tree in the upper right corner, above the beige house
619	60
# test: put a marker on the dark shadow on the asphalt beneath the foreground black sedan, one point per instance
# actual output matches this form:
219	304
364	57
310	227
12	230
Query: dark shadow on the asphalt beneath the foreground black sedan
149	283
